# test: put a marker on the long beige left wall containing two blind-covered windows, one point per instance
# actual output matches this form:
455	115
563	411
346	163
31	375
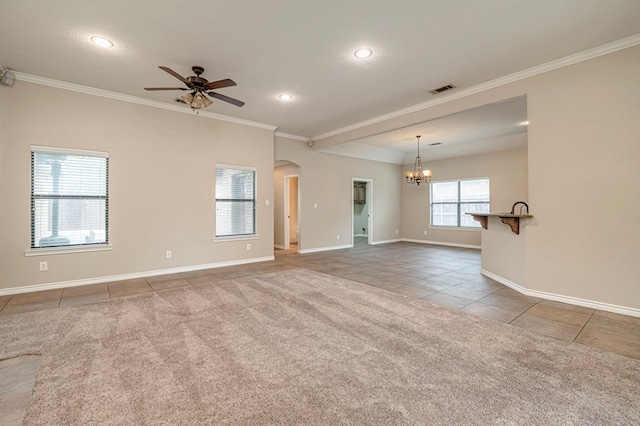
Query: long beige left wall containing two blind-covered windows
161	183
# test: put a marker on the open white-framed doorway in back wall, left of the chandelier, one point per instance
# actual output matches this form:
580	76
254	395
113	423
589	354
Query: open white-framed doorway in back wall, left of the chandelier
362	212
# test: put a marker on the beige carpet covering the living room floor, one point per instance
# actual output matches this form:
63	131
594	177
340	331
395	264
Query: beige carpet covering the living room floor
300	347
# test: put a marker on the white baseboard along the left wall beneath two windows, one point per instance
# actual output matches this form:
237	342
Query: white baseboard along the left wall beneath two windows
98	280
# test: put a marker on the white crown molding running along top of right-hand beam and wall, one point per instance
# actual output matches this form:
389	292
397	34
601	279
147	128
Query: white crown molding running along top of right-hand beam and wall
520	75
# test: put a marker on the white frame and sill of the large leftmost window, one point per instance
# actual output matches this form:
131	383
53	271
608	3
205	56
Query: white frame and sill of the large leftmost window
67	248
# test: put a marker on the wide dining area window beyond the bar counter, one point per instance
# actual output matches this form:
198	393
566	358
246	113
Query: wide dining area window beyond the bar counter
450	201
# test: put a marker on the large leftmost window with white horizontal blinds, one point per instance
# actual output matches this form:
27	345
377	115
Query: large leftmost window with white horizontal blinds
69	197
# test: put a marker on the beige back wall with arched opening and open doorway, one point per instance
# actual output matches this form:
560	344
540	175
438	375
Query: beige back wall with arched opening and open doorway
326	180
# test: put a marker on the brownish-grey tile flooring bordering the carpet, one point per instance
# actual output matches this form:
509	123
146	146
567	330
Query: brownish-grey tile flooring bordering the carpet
446	276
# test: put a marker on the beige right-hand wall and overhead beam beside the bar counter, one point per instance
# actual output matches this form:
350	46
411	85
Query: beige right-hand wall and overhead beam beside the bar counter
584	169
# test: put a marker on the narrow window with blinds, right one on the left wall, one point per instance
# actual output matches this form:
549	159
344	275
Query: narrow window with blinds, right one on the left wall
235	201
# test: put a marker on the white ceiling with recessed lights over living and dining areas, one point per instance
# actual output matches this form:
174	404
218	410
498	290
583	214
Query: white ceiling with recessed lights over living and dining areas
305	47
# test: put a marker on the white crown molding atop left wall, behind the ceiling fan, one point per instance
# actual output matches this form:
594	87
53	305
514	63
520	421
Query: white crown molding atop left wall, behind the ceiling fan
135	100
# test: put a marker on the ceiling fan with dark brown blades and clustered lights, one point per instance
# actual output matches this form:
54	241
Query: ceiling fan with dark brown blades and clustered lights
198	87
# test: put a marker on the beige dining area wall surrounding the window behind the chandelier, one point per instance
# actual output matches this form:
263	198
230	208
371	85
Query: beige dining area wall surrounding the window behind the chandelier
507	171
